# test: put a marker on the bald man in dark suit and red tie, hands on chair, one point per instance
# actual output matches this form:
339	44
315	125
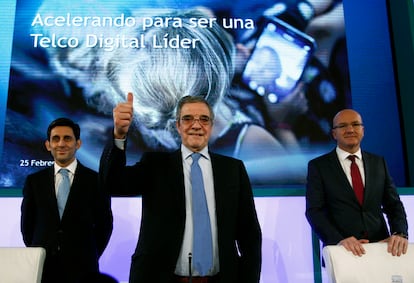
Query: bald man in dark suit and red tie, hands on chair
332	207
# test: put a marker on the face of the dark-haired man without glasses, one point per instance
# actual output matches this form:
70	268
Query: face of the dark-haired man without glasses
63	145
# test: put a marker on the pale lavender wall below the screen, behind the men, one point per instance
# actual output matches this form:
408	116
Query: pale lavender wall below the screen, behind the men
287	246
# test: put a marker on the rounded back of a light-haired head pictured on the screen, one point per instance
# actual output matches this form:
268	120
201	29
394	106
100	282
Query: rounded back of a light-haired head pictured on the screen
160	77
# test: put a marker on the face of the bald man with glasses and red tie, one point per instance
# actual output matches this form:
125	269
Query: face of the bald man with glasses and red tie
348	130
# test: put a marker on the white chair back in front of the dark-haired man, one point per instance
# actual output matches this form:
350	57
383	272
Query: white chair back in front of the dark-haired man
21	265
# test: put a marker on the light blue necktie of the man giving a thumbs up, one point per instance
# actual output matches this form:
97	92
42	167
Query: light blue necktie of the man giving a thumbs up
203	244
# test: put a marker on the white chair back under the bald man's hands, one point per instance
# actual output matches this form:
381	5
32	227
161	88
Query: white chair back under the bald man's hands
376	265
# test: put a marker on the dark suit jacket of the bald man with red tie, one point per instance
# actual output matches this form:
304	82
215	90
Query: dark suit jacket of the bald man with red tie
333	210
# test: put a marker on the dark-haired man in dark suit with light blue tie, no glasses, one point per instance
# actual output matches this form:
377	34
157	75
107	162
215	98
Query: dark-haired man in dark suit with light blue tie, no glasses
75	240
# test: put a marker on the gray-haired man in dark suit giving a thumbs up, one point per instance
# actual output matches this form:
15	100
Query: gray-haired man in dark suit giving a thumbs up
165	246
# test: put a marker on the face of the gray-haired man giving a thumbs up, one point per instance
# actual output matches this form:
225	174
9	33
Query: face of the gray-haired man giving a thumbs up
193	126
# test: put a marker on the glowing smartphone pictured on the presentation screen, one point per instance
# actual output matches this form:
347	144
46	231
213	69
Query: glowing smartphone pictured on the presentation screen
278	60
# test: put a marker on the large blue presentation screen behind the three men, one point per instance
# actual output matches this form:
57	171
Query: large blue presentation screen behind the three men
275	72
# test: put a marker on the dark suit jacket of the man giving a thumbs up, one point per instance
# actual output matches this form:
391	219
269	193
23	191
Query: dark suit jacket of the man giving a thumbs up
159	178
